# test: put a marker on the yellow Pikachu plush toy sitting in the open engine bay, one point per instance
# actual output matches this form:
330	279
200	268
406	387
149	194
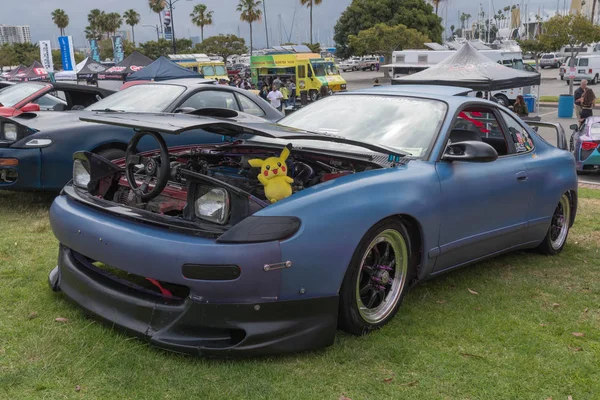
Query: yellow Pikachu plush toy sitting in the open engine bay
273	175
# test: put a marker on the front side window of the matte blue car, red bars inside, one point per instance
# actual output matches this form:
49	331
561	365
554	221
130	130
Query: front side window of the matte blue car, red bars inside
480	124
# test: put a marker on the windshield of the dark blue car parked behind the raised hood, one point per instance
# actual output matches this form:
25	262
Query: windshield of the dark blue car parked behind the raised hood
140	98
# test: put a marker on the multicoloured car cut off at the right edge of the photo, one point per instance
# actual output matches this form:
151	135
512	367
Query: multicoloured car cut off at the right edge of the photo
584	144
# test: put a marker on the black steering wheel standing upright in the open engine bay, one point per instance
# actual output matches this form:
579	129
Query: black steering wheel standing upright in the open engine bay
154	168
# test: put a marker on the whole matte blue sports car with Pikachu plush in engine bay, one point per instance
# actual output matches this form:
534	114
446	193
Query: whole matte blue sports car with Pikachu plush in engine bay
272	239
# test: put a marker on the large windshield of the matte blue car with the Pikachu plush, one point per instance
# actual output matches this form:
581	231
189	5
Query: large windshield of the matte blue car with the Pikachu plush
406	124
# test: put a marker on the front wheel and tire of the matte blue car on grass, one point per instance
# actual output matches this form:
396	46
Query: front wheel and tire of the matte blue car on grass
377	279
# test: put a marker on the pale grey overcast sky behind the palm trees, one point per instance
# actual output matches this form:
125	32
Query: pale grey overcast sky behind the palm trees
36	13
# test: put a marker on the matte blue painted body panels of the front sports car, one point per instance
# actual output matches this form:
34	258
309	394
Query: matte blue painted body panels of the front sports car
465	212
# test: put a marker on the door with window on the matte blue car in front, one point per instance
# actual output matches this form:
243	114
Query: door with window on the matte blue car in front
483	205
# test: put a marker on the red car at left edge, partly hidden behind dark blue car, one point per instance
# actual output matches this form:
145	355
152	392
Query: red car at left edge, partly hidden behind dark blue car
36	96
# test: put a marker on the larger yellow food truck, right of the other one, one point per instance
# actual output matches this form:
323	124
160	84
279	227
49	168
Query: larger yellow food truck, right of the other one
309	70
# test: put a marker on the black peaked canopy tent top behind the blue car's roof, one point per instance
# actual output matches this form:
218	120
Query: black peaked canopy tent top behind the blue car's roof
469	68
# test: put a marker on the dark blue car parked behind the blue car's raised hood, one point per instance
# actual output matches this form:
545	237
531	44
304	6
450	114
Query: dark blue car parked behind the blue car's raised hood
39	148
